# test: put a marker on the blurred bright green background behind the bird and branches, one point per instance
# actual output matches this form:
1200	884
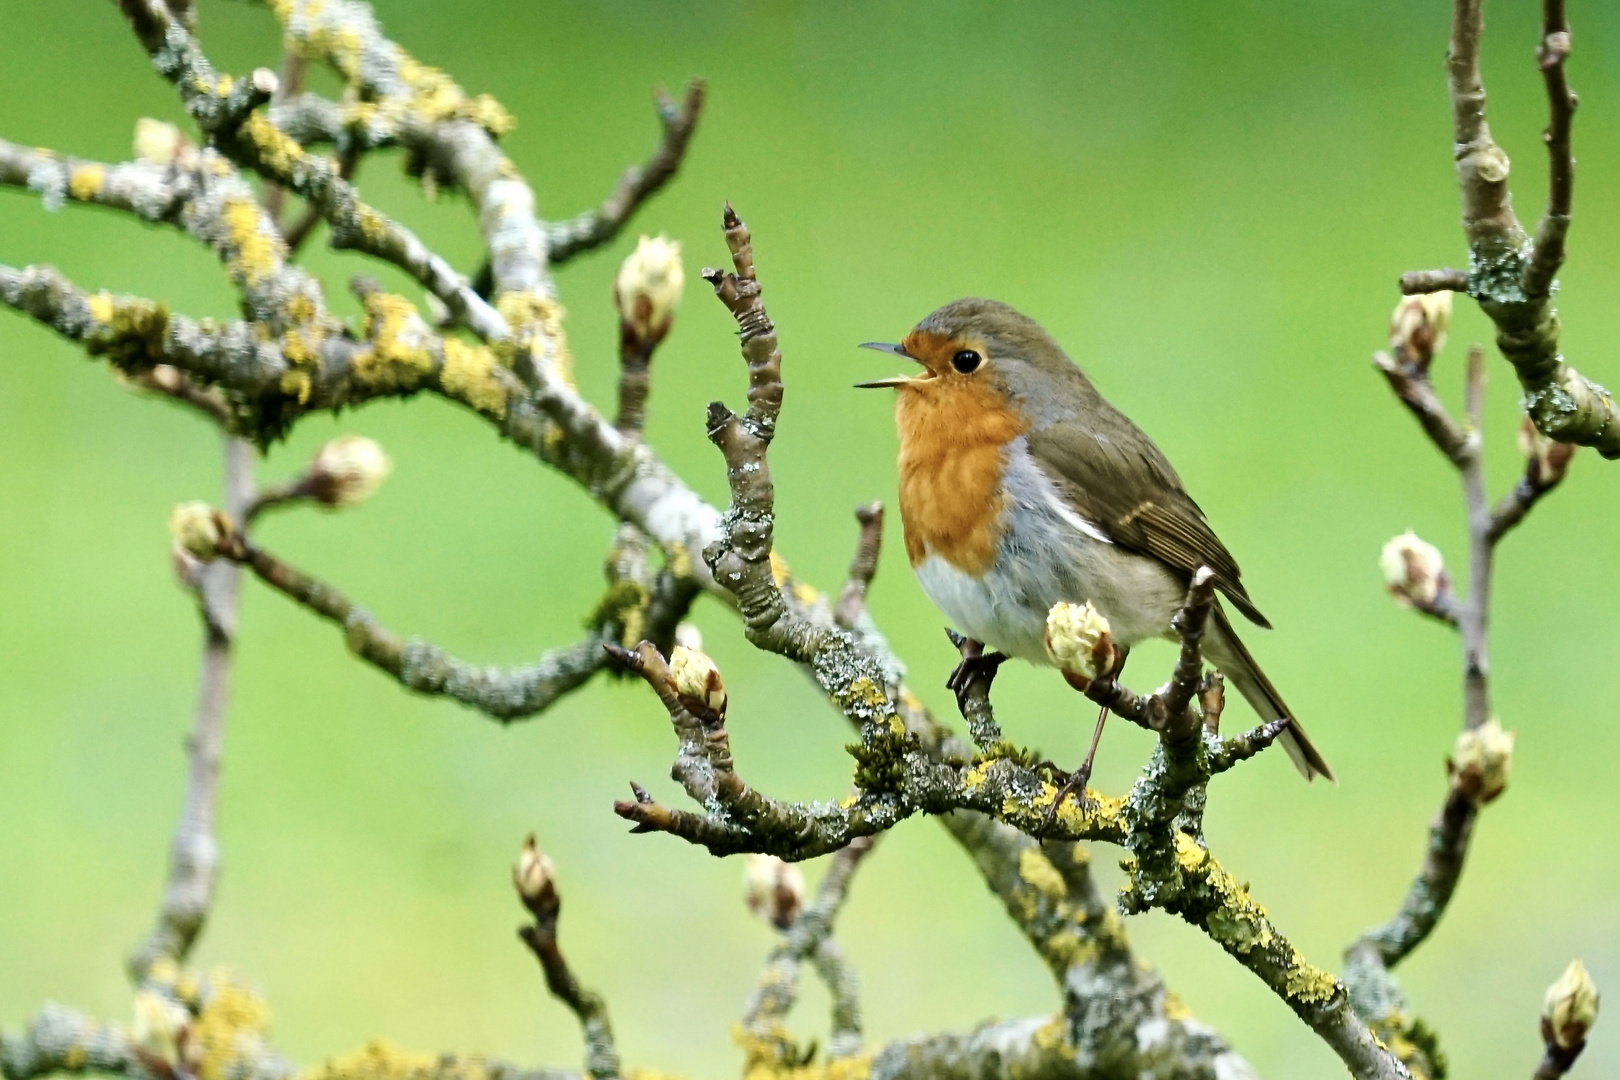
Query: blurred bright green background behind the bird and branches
1208	203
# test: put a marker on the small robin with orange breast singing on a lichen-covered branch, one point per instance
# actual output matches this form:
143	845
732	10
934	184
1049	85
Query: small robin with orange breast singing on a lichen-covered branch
1021	487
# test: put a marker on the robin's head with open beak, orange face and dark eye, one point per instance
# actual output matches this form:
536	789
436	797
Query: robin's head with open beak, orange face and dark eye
981	354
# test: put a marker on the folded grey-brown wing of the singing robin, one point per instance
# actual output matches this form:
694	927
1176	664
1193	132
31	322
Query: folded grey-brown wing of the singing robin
1115	478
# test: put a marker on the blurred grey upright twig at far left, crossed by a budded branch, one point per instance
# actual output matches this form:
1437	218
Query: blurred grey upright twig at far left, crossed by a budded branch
194	854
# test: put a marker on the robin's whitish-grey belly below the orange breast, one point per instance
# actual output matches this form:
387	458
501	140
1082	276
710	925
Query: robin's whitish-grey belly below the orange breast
1047	556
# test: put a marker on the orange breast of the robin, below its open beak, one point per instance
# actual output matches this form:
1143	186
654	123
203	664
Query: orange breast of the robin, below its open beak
953	433
